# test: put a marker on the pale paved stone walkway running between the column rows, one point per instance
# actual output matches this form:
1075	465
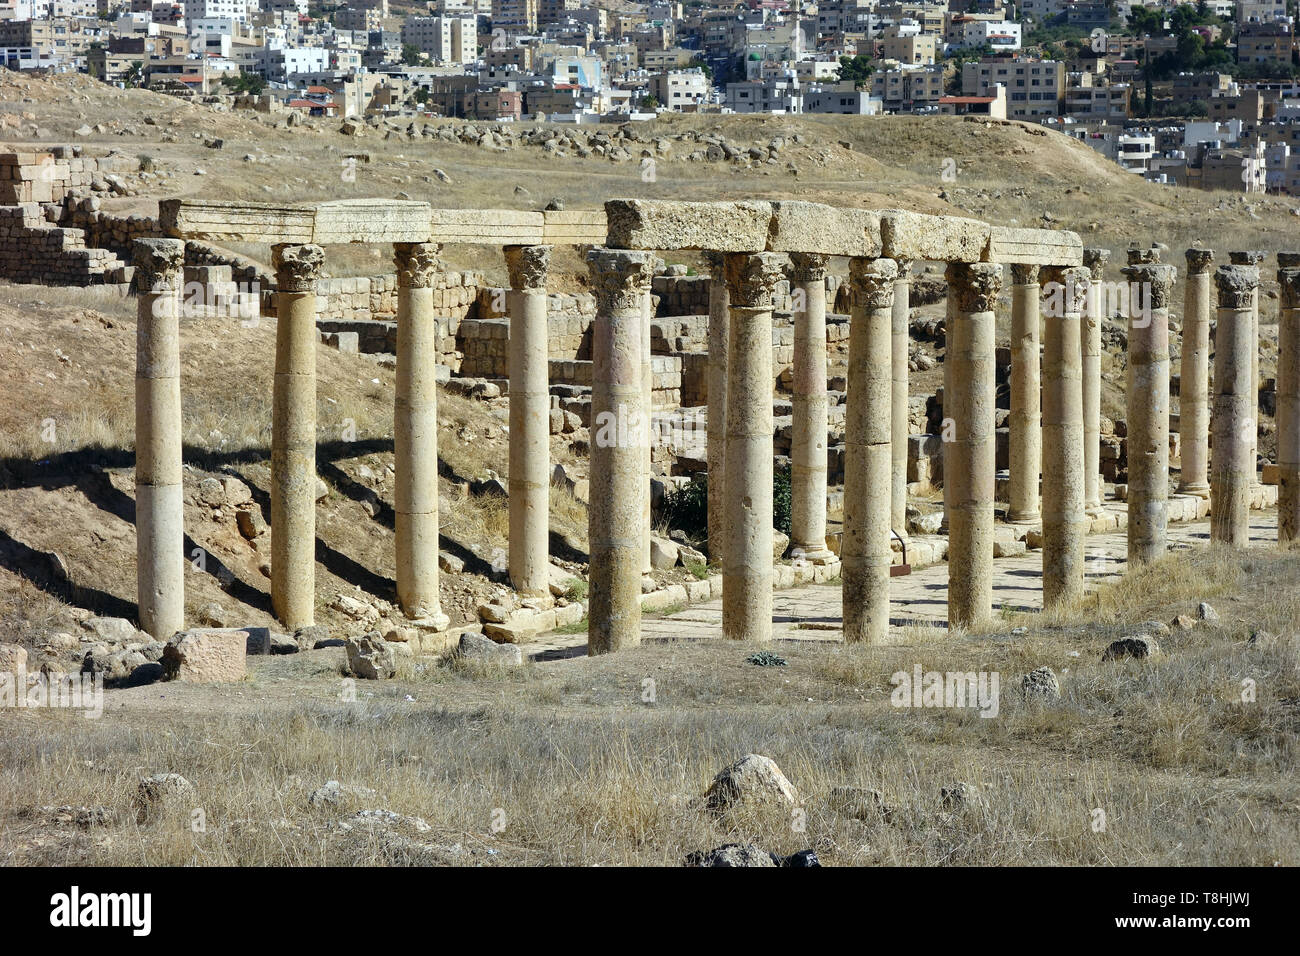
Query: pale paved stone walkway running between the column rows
813	612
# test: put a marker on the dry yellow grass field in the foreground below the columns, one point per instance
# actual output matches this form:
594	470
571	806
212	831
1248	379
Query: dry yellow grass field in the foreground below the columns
564	763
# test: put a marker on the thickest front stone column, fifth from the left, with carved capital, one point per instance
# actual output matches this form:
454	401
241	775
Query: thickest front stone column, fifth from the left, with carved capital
616	517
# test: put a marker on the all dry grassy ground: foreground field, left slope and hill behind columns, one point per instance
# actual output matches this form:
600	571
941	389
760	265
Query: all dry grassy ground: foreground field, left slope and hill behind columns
566	760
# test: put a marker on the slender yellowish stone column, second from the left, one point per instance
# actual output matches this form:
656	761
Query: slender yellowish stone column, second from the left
293	439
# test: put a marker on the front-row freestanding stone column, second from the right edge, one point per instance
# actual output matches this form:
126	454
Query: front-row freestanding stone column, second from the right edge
1233	466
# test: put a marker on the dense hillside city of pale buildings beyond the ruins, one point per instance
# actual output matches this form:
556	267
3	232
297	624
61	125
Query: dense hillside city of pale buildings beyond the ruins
1203	94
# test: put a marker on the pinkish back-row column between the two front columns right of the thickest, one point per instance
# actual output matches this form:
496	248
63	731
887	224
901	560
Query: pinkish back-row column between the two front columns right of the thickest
809	419
